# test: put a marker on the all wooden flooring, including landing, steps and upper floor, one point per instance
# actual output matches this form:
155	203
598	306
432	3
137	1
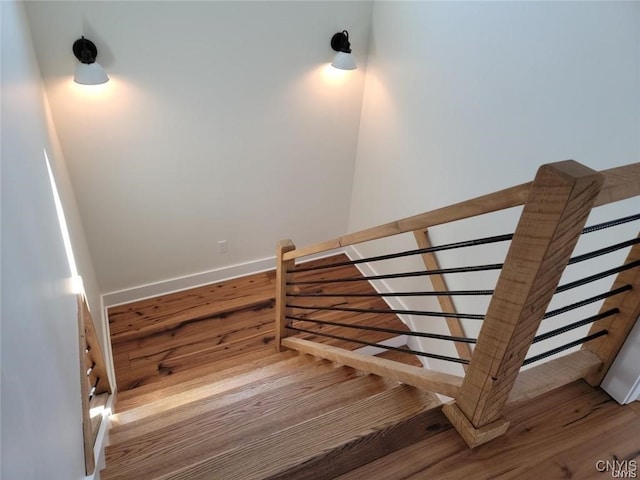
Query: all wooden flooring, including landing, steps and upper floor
203	395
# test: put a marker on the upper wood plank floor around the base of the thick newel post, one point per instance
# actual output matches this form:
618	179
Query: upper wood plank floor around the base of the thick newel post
560	435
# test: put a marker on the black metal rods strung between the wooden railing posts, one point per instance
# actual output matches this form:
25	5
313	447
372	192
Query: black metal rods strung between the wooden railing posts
466	316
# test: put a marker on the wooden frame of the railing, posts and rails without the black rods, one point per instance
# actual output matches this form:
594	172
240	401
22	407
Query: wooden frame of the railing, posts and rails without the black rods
556	206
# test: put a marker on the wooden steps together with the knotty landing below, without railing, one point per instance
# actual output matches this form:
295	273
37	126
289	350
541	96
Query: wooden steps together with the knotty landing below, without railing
231	407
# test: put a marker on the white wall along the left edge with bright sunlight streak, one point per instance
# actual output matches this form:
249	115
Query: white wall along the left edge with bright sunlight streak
41	432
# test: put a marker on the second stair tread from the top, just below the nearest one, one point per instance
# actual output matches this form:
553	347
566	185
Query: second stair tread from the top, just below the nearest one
220	429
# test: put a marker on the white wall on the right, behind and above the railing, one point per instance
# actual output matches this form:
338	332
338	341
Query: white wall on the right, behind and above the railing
464	98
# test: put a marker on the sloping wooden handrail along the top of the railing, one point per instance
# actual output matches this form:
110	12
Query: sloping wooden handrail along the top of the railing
620	183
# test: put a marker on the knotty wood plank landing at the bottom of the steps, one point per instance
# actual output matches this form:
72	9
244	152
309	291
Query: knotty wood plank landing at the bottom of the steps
169	339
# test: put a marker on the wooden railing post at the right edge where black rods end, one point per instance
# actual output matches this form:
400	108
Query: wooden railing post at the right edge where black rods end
619	325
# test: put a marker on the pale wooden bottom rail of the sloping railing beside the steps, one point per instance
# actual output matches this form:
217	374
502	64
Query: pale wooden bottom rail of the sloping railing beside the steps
428	380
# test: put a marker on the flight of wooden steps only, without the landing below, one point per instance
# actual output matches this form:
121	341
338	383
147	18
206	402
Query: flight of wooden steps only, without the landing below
287	416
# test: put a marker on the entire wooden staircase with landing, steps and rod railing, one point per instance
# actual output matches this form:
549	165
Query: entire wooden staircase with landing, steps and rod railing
203	394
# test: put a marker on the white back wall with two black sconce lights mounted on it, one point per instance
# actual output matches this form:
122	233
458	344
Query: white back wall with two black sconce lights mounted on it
221	122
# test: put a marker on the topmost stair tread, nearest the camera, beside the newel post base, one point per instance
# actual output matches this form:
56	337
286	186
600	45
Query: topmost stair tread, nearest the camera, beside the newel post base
287	448
